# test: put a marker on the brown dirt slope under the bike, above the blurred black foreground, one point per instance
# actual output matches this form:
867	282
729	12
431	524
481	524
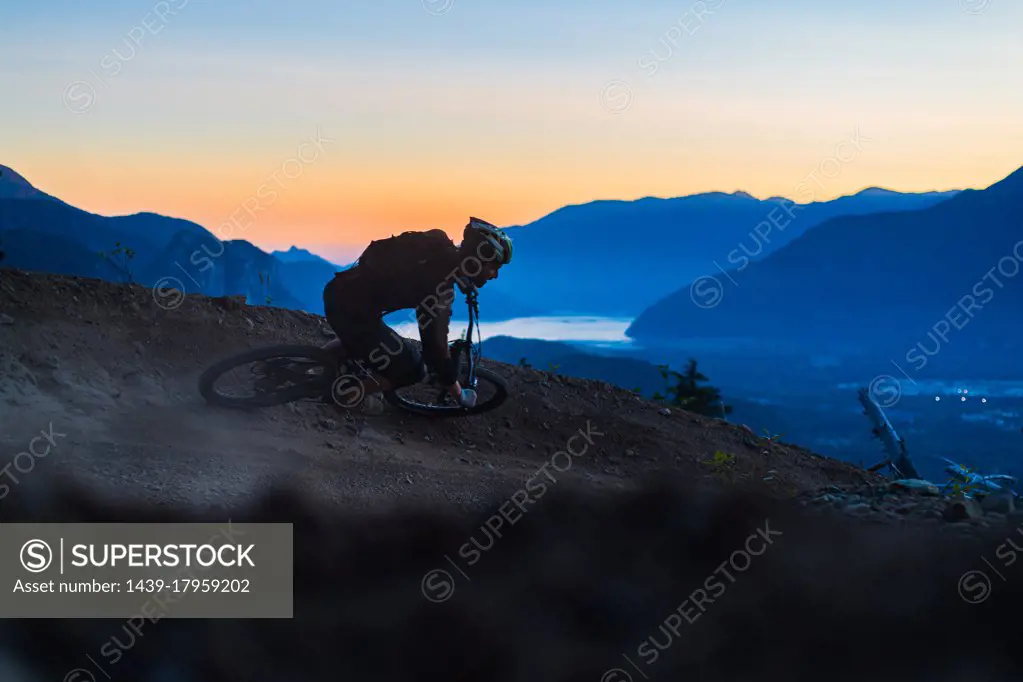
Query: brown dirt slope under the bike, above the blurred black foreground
114	371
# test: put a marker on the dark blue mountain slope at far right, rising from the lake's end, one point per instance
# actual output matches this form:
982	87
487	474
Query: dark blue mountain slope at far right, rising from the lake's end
938	277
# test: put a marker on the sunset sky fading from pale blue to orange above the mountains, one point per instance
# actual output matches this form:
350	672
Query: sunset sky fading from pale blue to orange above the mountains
330	123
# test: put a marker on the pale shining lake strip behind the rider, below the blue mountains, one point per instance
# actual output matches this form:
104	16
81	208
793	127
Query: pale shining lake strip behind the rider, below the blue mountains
608	332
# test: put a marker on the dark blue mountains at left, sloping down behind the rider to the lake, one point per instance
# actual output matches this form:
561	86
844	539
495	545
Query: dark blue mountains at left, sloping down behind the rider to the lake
42	234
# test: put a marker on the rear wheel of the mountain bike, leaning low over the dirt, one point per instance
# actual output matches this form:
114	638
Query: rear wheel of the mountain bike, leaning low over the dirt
277	375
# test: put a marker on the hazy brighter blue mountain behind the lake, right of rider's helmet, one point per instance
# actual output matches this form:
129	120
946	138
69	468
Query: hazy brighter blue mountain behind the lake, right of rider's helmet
617	258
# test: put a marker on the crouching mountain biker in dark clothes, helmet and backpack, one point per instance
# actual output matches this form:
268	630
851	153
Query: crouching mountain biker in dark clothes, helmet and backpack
419	271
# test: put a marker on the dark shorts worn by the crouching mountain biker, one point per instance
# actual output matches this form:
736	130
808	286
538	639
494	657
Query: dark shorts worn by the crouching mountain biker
373	343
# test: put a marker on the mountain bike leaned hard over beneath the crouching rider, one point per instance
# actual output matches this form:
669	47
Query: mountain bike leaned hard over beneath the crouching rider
280	375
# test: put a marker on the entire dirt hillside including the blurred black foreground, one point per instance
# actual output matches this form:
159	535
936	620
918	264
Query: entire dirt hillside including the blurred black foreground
859	582
